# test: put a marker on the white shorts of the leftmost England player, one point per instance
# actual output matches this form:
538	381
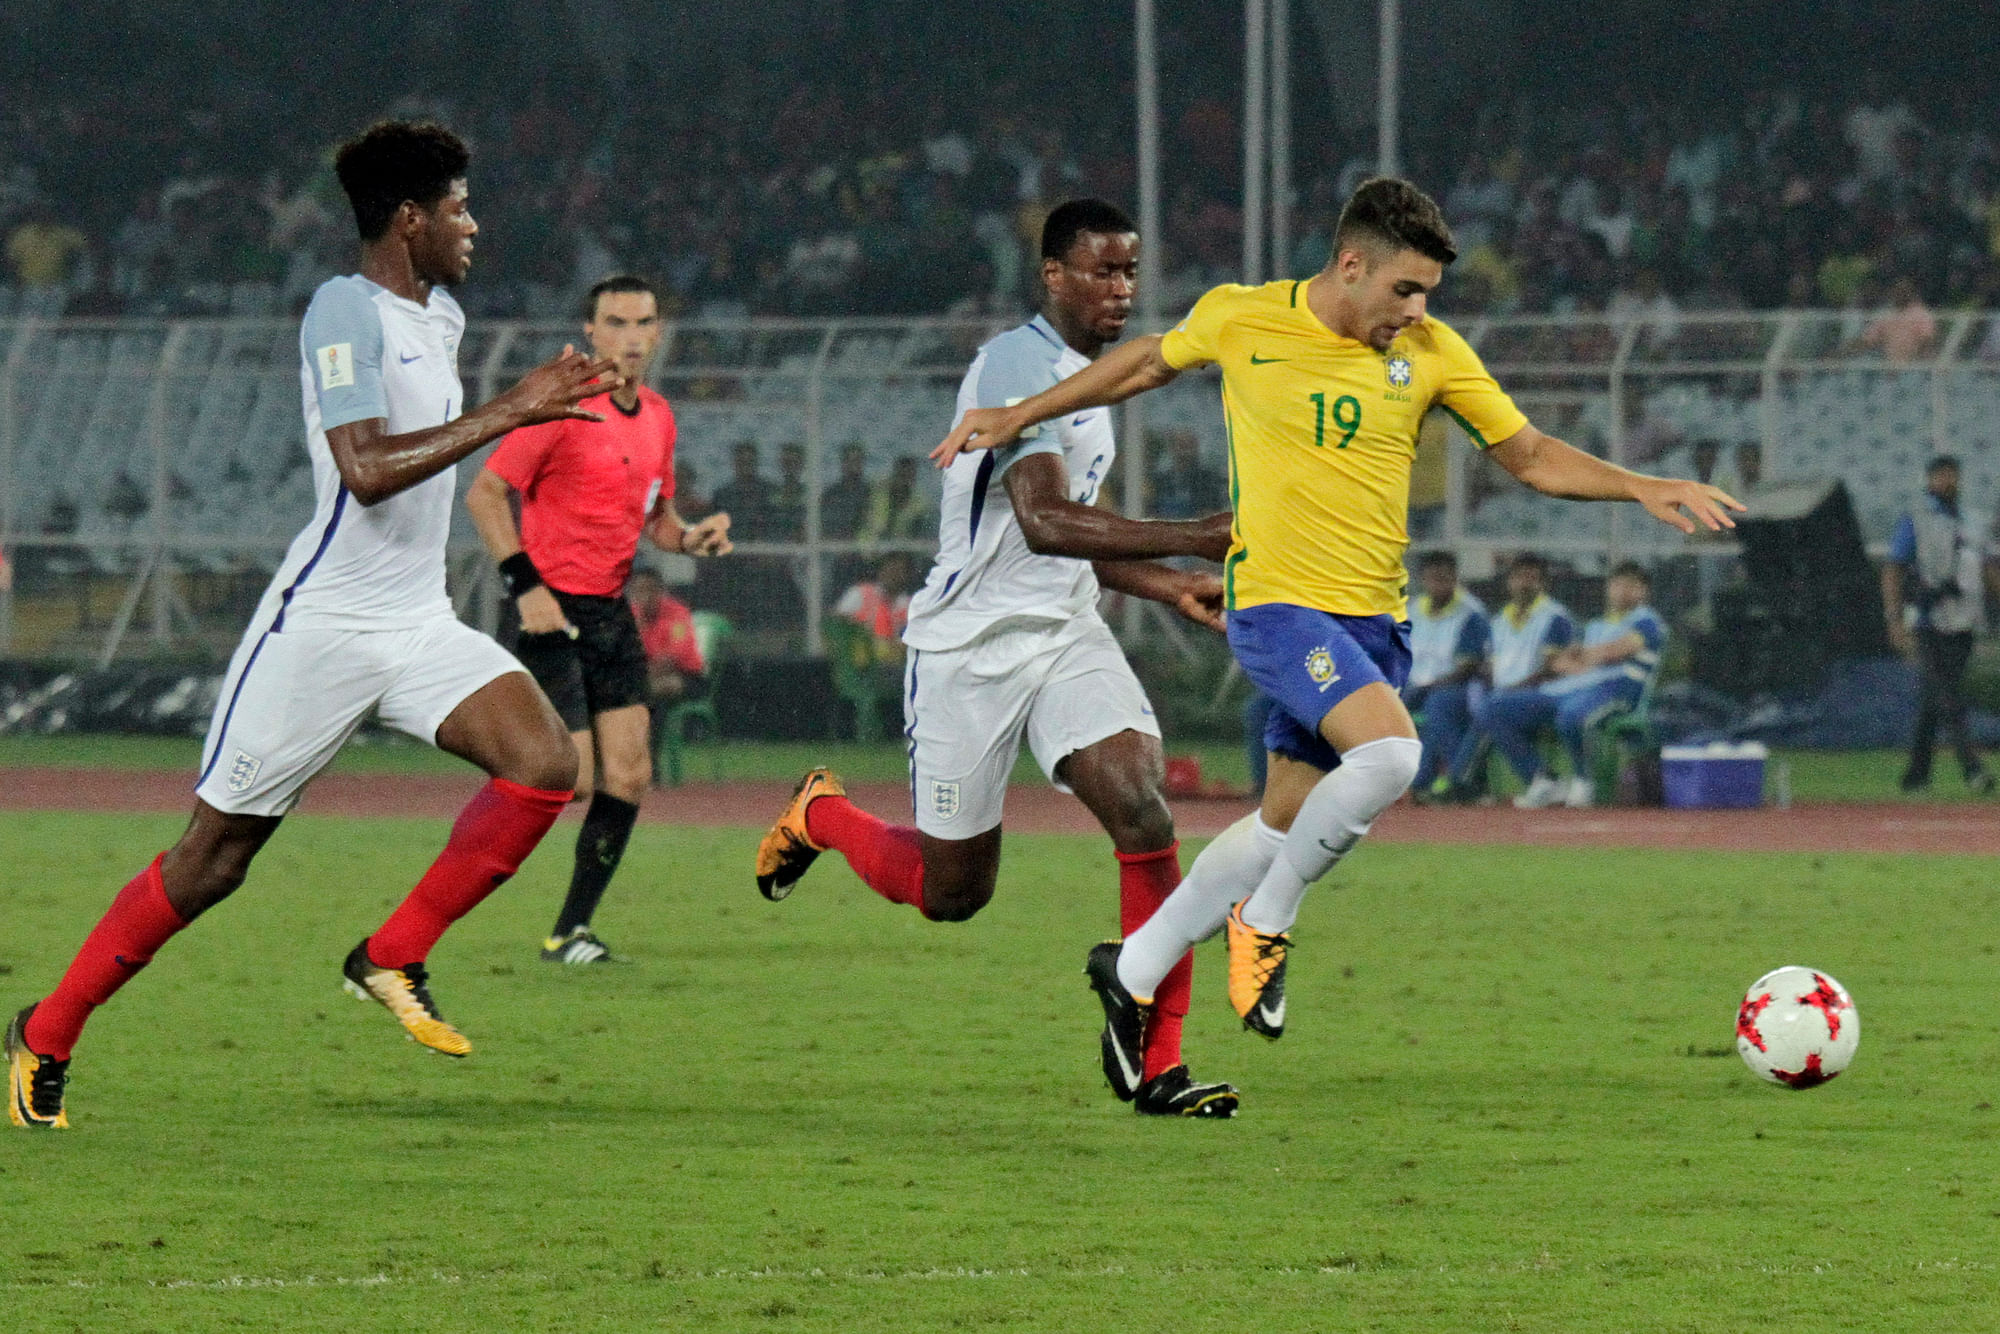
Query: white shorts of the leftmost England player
295	697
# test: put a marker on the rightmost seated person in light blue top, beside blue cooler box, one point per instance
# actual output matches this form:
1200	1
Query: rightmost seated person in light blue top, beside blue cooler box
1587	683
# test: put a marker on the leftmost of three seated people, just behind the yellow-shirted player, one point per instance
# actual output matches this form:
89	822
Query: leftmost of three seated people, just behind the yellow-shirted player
1451	637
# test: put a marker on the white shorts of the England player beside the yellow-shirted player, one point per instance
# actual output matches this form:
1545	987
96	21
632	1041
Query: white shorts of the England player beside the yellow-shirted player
965	713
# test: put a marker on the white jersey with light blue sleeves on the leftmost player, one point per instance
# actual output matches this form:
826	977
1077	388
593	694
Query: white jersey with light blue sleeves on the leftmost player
369	353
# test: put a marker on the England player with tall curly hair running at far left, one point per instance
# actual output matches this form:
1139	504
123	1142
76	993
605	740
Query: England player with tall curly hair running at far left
357	621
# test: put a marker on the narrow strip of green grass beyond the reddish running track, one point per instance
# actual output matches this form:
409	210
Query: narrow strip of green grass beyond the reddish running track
1815	775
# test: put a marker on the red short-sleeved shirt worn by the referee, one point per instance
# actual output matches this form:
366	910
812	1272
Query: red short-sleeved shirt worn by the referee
587	489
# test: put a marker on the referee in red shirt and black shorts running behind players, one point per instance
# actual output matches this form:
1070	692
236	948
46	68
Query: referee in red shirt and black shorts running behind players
589	489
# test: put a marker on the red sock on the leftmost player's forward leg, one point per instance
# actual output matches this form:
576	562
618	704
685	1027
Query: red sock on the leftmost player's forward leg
489	843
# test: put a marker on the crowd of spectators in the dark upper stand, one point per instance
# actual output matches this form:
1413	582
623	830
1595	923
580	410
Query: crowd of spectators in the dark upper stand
819	189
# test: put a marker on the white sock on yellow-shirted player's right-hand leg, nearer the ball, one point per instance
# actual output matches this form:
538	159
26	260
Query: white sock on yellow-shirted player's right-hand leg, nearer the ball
1333	819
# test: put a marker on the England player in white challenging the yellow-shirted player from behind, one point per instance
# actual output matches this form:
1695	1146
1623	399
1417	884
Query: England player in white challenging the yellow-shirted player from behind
1007	645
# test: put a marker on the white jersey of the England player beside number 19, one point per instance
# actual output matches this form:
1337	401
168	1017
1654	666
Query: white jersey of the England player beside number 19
985	575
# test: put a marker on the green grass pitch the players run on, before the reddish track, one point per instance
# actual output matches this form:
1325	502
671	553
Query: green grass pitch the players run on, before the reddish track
1509	1101
